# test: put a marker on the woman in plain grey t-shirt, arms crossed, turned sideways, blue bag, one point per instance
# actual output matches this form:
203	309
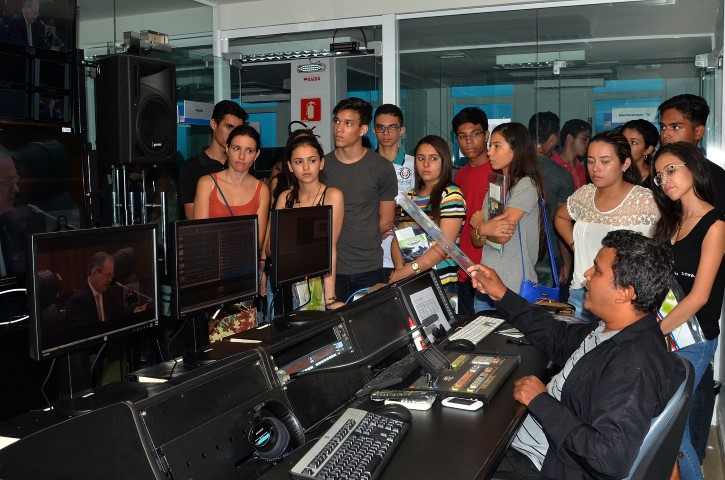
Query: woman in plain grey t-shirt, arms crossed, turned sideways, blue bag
519	228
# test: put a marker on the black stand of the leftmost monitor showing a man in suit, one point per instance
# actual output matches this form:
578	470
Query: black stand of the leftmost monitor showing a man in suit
76	393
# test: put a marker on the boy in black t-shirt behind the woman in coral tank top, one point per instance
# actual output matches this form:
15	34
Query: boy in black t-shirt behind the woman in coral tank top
225	116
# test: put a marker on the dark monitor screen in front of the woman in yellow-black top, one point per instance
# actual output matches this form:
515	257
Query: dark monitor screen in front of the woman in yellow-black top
301	244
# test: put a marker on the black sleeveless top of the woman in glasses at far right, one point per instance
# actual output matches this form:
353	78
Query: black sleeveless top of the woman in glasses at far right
687	252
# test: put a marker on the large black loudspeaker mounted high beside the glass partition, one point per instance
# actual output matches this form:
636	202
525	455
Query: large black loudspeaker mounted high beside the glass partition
135	110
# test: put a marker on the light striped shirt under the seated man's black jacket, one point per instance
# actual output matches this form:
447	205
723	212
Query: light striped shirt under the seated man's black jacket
530	439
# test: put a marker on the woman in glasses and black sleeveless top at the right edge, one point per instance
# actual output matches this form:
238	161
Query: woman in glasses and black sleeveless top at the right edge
684	193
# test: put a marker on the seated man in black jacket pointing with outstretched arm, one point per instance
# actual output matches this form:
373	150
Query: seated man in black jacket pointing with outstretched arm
591	419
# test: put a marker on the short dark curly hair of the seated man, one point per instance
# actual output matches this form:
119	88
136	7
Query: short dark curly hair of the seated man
643	263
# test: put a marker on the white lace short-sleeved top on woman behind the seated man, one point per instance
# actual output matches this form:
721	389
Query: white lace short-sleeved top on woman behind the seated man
637	212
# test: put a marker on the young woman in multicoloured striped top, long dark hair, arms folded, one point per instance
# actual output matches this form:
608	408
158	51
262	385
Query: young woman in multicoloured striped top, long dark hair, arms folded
437	195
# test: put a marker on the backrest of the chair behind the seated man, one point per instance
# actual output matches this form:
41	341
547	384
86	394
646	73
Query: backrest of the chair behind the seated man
659	449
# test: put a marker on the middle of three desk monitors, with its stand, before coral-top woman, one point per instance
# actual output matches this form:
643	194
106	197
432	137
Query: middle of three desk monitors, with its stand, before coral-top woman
215	261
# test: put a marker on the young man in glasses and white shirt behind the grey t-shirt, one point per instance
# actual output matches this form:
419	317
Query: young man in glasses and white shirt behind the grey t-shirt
389	129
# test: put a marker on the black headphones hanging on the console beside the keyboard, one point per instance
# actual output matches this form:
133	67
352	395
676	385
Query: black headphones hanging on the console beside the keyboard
275	431
